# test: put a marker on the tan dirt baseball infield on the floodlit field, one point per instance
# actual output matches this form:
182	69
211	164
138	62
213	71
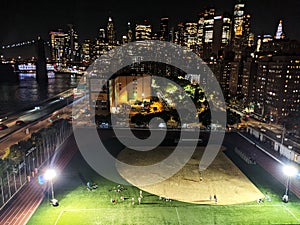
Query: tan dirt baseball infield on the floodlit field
222	178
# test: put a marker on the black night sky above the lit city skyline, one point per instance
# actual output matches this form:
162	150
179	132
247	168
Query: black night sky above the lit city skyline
25	20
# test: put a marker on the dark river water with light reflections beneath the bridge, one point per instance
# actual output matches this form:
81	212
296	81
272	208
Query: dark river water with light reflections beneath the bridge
27	93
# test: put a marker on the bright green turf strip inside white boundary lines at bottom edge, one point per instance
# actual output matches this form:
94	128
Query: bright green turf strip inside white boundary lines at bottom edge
177	215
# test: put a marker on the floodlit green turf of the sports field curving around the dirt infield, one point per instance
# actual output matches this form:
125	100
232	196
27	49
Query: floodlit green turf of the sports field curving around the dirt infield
78	206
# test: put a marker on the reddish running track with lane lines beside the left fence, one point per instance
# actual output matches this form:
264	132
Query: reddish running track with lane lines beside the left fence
21	208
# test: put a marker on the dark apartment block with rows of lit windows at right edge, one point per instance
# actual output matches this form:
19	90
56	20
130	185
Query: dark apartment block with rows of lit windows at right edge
278	85
